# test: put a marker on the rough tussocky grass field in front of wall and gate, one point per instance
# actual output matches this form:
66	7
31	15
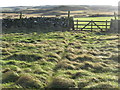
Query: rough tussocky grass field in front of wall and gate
60	59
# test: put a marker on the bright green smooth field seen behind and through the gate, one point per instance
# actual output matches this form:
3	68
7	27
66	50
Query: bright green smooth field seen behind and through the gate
94	19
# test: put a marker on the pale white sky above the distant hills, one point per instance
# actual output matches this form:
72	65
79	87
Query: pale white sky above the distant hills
6	3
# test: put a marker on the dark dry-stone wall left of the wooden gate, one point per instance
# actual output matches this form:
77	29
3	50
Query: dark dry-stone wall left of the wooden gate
38	22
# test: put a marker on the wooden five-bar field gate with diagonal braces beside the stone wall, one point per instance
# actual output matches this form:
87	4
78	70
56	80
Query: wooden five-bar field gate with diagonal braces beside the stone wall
92	25
